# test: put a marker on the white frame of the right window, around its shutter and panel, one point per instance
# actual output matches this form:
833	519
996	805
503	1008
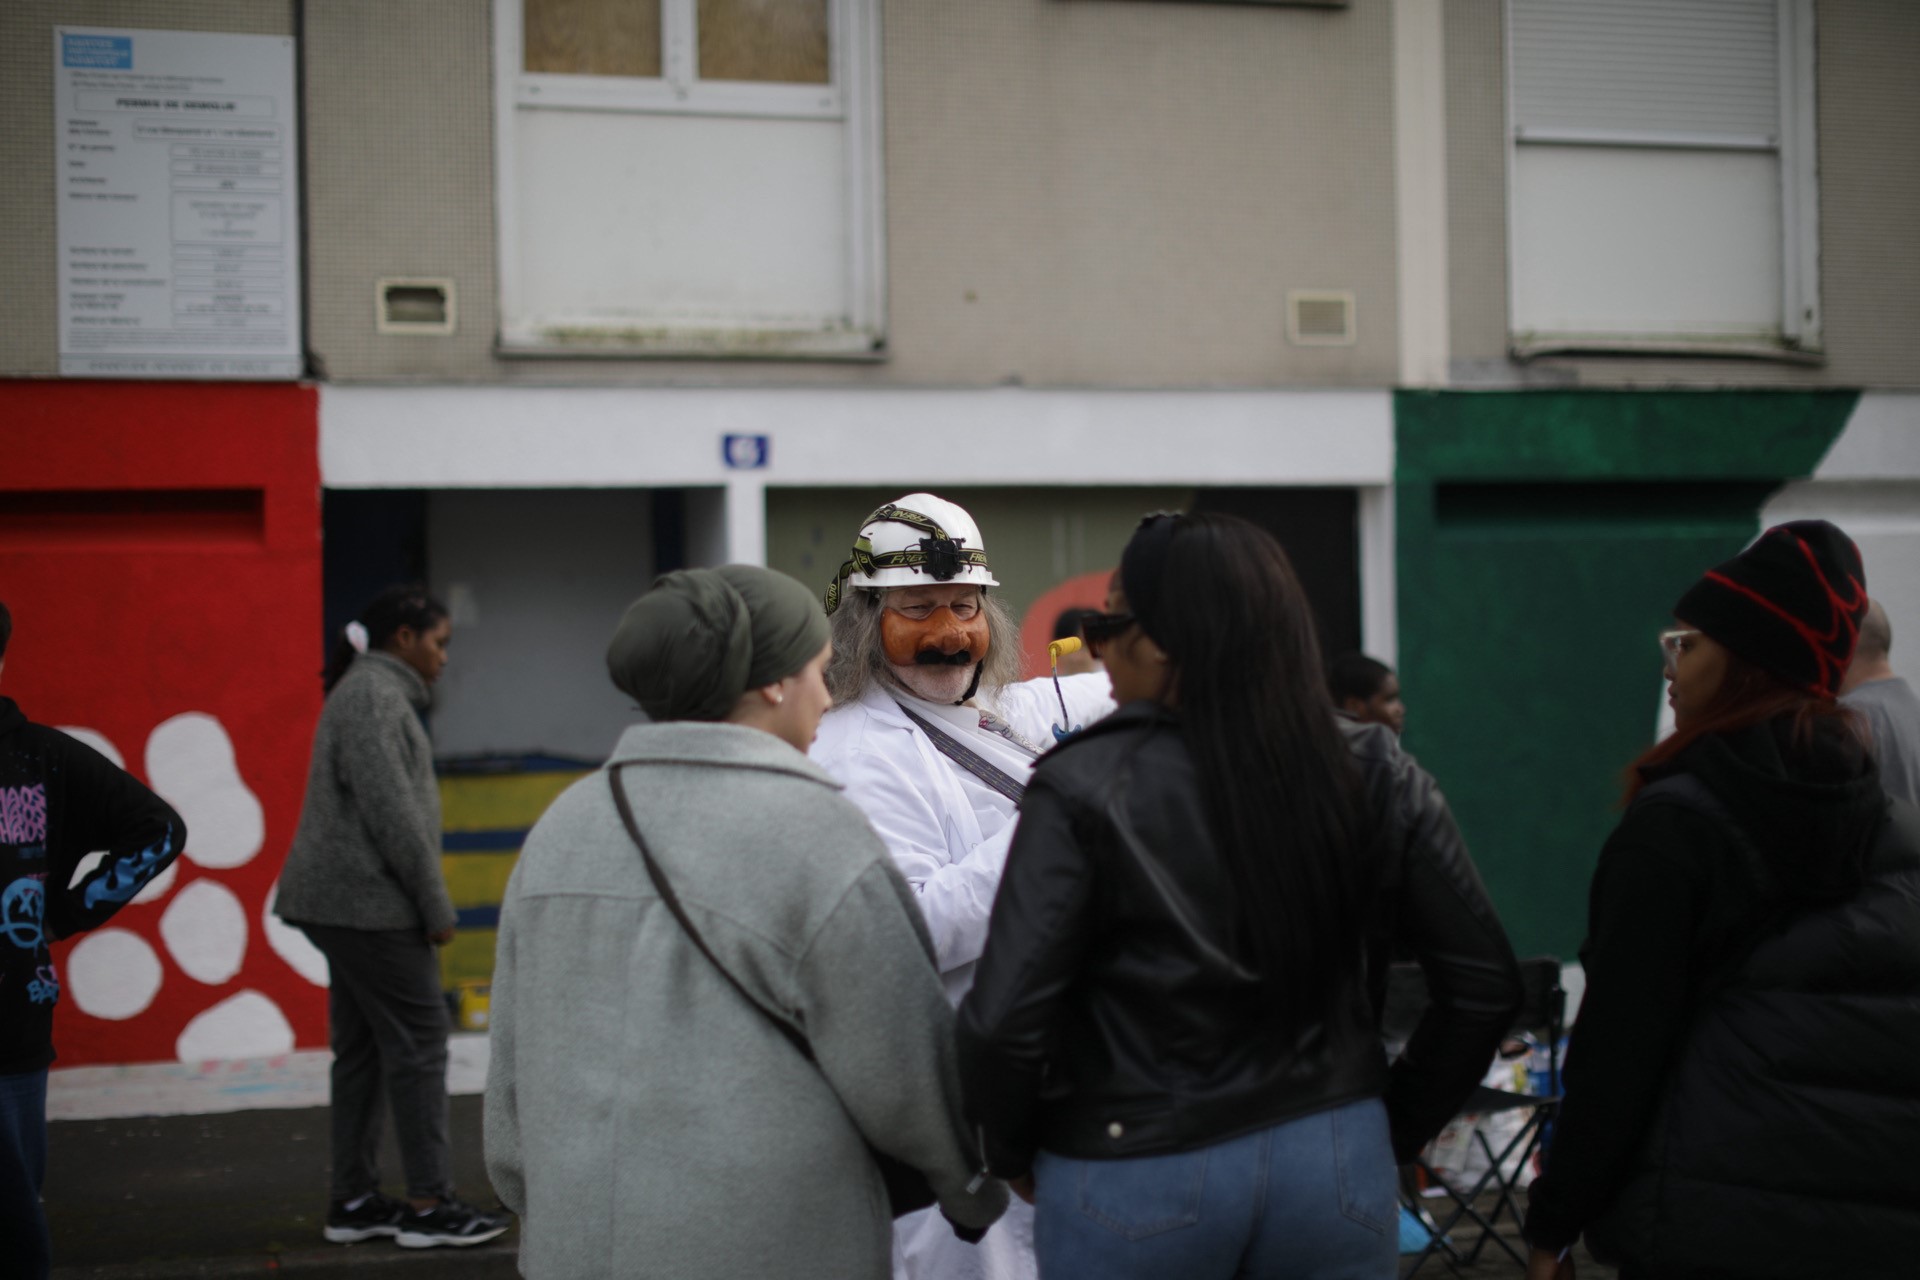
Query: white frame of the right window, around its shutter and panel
1796	145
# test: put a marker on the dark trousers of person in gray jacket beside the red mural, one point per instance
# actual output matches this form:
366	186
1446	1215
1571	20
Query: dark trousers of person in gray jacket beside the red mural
389	1030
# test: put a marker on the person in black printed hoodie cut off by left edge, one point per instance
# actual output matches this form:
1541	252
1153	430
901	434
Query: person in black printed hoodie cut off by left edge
59	803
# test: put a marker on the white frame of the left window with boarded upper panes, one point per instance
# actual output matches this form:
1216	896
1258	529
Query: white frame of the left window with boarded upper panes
852	95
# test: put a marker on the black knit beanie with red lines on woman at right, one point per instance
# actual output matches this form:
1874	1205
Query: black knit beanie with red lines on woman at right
1790	604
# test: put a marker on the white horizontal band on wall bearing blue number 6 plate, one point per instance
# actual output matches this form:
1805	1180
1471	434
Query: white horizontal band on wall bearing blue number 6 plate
379	439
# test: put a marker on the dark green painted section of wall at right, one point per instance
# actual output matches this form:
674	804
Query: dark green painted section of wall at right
1543	538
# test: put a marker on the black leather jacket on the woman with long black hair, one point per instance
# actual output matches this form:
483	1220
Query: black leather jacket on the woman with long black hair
1107	1016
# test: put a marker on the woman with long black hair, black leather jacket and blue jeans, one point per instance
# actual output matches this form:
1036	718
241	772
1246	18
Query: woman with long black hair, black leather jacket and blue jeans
1170	1045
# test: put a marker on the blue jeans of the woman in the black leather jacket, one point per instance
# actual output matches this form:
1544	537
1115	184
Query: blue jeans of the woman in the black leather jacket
1308	1198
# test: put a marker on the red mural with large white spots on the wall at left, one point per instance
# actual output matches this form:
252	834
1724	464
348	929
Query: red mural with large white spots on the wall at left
160	550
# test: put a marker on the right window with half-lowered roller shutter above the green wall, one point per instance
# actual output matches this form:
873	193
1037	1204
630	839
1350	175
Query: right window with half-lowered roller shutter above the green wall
1662	176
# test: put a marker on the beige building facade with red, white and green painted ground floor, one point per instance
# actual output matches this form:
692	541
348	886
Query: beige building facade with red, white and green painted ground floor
1506	316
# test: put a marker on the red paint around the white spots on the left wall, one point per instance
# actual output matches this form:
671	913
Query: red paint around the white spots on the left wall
160	548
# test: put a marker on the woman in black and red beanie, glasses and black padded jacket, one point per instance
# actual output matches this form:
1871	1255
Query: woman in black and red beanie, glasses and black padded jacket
1742	1097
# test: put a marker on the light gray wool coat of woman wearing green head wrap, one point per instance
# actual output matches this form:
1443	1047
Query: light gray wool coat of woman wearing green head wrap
648	1122
